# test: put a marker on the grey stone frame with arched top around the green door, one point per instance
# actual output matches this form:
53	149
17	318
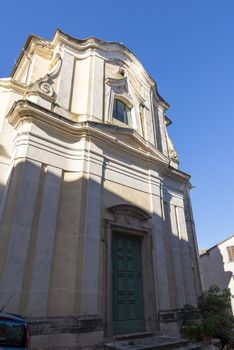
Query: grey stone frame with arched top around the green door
129	220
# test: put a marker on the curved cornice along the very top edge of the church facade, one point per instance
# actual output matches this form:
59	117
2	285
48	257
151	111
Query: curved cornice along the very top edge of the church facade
46	48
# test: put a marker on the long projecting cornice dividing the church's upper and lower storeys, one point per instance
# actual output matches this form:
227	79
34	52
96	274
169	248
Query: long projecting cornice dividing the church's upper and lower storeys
24	110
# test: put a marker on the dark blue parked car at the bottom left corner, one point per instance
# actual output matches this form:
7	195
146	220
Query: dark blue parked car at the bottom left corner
14	333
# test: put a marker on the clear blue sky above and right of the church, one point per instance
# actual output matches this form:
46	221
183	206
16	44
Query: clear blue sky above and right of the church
187	46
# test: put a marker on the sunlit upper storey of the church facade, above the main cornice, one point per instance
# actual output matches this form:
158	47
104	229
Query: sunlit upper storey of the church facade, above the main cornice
81	80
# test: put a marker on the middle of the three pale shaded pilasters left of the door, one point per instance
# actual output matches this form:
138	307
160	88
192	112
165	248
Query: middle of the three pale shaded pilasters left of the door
44	249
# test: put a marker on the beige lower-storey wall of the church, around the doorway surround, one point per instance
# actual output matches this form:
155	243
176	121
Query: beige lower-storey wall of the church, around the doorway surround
60	222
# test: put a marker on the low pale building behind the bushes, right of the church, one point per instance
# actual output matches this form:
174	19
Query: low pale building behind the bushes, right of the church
217	266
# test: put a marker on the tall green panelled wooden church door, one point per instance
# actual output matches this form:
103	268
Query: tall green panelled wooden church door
128	311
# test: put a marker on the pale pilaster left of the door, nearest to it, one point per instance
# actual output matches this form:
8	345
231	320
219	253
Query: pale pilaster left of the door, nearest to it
91	279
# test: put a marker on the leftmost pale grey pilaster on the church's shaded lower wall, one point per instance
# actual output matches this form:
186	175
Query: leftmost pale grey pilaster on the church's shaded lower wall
12	281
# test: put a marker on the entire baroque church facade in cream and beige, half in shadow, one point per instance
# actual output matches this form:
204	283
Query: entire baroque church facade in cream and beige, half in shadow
97	237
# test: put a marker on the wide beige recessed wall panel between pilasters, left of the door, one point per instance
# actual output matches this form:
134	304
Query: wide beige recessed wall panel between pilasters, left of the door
62	288
